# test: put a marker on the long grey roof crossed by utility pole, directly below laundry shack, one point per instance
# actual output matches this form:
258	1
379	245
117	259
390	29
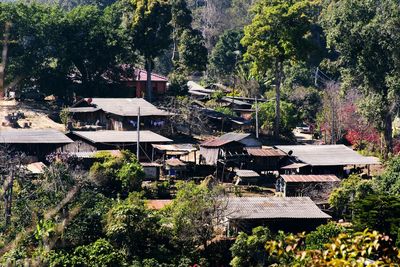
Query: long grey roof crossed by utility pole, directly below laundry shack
107	136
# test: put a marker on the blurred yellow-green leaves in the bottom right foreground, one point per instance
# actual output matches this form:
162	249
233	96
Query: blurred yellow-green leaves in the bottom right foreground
348	249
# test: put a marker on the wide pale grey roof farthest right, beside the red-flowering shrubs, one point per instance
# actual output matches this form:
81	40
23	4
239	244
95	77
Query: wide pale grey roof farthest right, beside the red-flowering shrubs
328	155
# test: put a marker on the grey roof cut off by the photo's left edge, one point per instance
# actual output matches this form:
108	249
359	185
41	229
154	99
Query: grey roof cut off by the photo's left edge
33	136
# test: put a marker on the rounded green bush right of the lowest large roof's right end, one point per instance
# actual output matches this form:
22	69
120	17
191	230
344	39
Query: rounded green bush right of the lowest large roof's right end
351	190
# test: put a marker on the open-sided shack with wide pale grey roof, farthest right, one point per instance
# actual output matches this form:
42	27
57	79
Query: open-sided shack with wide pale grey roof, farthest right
325	159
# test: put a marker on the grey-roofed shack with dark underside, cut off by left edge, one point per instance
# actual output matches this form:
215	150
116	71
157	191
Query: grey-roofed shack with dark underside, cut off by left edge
36	144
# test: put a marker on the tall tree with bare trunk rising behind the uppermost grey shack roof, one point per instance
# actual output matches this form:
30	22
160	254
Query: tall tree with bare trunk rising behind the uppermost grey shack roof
151	31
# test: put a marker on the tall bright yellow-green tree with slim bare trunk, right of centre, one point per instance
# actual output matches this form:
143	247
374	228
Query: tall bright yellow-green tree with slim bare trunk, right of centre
279	35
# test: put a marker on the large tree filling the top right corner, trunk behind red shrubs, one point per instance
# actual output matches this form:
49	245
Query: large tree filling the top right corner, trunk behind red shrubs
364	33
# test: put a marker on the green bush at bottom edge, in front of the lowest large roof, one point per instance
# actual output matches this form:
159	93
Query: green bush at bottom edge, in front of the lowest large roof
249	250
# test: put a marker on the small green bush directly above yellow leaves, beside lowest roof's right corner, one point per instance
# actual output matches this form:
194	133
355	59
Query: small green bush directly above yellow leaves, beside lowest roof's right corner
323	235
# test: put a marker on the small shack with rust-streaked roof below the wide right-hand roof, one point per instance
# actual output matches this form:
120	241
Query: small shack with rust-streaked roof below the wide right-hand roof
317	187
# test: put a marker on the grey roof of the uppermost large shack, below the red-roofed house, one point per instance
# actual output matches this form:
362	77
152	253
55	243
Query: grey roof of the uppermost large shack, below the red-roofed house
128	107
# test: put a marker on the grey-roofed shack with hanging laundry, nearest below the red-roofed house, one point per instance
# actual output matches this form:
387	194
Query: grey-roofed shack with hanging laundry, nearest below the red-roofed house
117	114
